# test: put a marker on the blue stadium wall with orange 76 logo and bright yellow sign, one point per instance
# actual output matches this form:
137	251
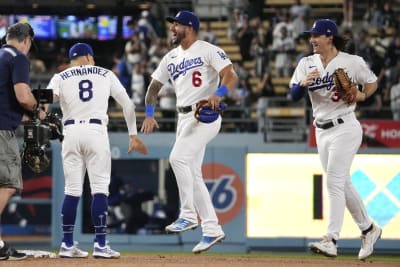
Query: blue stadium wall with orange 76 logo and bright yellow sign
264	194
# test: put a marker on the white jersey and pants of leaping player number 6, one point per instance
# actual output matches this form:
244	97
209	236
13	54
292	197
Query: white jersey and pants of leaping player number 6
194	73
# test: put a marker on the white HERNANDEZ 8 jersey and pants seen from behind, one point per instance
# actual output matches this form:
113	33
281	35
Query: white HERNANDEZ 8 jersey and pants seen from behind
84	92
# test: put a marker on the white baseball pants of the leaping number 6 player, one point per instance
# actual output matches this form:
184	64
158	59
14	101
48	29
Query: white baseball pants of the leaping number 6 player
186	159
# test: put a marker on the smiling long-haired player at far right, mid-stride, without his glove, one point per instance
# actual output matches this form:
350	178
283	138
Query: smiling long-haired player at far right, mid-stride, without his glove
338	132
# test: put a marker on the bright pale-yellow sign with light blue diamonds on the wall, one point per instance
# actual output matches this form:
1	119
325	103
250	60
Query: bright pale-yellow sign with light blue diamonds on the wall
280	200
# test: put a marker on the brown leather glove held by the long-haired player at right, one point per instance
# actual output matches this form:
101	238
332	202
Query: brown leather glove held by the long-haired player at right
344	86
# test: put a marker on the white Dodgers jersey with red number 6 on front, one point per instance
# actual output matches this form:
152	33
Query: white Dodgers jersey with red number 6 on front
193	72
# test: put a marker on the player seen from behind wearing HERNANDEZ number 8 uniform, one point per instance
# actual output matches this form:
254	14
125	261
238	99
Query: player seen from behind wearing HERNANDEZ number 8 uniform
83	91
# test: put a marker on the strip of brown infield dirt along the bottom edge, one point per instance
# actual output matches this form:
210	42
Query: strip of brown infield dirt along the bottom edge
167	260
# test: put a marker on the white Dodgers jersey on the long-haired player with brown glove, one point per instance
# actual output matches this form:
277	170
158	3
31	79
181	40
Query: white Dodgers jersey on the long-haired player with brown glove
325	101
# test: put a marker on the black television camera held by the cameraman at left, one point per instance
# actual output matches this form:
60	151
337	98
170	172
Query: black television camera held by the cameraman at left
38	133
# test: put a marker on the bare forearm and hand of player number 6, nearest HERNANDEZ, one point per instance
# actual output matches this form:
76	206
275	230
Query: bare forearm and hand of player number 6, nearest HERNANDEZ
149	123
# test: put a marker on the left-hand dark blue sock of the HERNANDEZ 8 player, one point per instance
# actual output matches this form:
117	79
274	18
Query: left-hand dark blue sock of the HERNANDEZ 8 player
68	215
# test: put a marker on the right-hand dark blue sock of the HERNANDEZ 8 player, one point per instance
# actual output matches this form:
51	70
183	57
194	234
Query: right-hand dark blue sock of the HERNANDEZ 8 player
99	218
